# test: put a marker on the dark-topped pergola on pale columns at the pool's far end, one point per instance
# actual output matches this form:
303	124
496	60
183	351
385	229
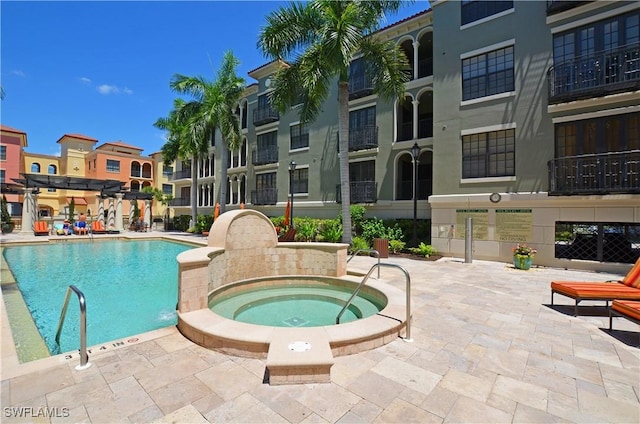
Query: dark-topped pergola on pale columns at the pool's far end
108	189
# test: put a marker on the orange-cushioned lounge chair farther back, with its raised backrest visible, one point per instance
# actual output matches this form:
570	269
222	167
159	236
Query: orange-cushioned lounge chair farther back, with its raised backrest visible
626	289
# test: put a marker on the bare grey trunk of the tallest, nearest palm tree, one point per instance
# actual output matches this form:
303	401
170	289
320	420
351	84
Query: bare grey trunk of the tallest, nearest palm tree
343	156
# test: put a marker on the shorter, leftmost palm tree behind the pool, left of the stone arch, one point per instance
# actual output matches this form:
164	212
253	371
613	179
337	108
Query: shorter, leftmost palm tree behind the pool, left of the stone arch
184	142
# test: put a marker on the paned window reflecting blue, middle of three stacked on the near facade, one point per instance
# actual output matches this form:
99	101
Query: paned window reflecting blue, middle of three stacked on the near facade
488	74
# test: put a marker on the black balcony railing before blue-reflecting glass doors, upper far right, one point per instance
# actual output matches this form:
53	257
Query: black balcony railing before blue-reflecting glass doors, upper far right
608	72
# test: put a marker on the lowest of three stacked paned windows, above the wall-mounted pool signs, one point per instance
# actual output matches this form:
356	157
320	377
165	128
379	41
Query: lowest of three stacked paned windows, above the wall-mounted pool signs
490	154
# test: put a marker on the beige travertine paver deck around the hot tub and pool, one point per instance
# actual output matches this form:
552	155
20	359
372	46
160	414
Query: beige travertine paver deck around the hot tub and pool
486	348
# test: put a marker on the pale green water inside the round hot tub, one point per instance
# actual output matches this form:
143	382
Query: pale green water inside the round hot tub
287	305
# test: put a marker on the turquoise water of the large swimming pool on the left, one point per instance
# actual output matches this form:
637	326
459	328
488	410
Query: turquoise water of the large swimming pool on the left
130	287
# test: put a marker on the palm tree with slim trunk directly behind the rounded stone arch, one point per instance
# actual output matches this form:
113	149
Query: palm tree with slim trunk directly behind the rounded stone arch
217	104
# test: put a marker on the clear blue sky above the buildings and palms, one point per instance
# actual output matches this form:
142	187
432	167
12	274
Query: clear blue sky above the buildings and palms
102	69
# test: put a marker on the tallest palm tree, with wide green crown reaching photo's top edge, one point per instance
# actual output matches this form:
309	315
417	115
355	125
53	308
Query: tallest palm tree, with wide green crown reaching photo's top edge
317	40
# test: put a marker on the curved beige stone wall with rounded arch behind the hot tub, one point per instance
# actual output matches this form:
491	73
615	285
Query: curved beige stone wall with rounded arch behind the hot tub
243	244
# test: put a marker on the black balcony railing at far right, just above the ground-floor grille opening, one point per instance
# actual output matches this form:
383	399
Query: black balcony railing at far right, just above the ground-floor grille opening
595	174
